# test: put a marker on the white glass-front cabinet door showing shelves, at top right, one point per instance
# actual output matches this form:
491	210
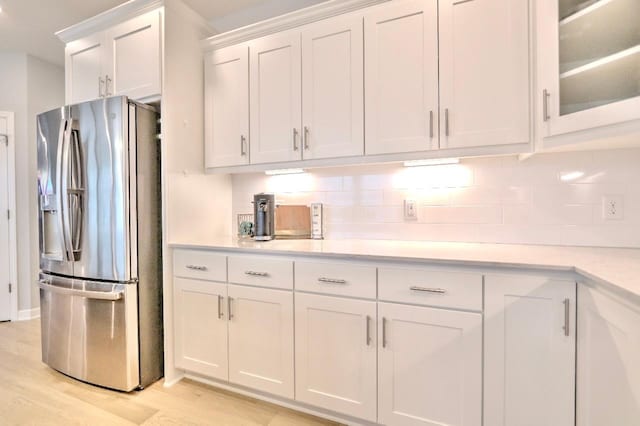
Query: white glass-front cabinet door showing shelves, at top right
589	63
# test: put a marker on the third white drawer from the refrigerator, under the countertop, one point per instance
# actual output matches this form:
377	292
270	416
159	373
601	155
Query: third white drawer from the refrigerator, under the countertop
336	278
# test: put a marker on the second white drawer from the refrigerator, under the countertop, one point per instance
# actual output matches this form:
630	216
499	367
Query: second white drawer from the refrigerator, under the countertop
261	271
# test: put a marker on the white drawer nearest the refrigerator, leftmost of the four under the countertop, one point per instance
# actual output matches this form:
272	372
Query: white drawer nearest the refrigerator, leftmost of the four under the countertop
199	264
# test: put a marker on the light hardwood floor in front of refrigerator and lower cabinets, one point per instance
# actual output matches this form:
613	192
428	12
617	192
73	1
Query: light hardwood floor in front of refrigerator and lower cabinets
33	394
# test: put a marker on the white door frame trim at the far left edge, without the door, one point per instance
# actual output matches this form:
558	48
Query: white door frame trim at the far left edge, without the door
11	181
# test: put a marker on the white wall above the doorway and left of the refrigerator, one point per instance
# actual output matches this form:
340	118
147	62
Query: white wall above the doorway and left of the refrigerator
27	86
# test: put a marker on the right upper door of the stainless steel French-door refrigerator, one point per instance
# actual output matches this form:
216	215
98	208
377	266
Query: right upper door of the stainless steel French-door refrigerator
99	199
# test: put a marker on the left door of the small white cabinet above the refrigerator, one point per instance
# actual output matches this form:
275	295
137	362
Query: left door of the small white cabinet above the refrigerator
84	79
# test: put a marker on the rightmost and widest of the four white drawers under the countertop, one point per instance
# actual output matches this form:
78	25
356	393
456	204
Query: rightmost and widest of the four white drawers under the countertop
461	290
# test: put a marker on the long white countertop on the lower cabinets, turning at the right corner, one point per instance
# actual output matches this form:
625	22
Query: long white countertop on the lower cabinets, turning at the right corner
615	267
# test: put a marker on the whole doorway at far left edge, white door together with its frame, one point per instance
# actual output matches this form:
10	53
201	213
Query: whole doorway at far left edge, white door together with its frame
8	263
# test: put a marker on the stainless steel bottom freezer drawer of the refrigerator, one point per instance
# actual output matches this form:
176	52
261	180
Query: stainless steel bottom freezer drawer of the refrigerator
90	330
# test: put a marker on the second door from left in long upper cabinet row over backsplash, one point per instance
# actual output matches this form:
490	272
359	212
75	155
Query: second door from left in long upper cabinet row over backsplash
275	98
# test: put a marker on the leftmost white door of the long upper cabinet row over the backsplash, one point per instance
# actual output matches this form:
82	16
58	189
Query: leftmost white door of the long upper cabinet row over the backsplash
227	107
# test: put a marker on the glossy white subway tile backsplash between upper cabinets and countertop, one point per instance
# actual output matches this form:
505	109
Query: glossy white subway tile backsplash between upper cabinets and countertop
547	199
